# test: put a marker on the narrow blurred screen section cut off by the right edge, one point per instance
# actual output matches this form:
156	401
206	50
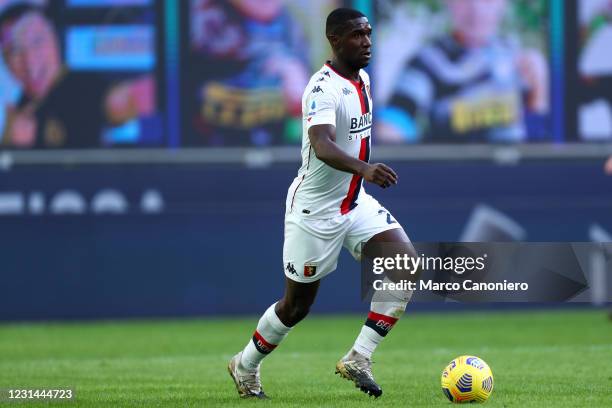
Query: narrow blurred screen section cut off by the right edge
594	92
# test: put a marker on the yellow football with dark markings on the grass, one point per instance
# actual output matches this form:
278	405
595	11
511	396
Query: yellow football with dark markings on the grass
467	379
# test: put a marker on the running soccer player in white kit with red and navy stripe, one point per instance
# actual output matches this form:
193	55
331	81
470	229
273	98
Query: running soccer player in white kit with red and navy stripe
327	208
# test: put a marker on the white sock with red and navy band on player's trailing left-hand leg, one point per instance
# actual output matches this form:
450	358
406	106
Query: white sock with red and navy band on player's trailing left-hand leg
269	333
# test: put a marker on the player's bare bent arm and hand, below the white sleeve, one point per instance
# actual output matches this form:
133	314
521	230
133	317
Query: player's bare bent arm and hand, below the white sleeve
323	141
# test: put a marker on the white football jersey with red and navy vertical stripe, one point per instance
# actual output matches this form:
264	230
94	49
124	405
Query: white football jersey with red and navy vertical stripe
319	190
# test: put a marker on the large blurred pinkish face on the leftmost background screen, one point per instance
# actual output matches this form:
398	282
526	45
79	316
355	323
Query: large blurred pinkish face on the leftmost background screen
32	53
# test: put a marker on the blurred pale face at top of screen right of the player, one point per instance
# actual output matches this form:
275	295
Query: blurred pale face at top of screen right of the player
477	21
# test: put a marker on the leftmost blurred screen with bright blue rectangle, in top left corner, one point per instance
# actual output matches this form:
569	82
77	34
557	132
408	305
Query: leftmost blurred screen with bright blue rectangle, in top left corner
79	74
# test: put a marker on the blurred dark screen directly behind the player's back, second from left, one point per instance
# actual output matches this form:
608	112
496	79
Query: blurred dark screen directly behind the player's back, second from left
246	67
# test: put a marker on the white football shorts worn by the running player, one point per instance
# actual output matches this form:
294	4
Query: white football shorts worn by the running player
312	246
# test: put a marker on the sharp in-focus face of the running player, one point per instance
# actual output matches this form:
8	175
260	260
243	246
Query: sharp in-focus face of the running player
354	45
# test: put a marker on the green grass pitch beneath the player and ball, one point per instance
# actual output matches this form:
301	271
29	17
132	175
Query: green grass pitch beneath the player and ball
553	359
